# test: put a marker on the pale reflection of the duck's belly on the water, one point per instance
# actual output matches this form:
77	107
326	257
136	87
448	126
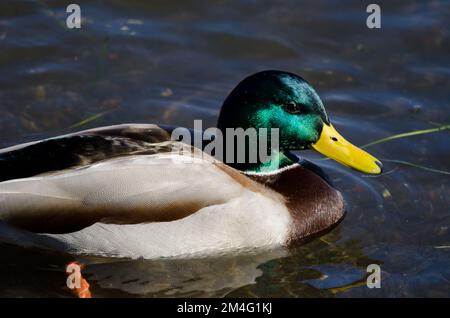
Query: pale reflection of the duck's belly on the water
213	277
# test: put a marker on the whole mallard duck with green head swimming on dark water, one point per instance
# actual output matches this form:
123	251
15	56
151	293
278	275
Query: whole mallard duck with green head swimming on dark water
121	191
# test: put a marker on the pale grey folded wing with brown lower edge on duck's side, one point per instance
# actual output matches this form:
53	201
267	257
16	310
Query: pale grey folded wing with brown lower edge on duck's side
124	190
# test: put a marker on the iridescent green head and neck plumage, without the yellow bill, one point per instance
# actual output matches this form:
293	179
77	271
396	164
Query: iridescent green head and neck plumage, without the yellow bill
275	99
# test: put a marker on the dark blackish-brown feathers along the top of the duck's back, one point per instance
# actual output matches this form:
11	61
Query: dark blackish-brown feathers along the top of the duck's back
81	149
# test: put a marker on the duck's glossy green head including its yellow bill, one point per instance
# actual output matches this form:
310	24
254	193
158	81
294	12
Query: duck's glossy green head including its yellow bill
276	99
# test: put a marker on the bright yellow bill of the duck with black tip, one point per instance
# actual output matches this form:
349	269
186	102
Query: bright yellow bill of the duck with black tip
334	146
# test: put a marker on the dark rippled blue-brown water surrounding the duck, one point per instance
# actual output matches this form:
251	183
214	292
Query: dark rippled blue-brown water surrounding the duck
175	61
